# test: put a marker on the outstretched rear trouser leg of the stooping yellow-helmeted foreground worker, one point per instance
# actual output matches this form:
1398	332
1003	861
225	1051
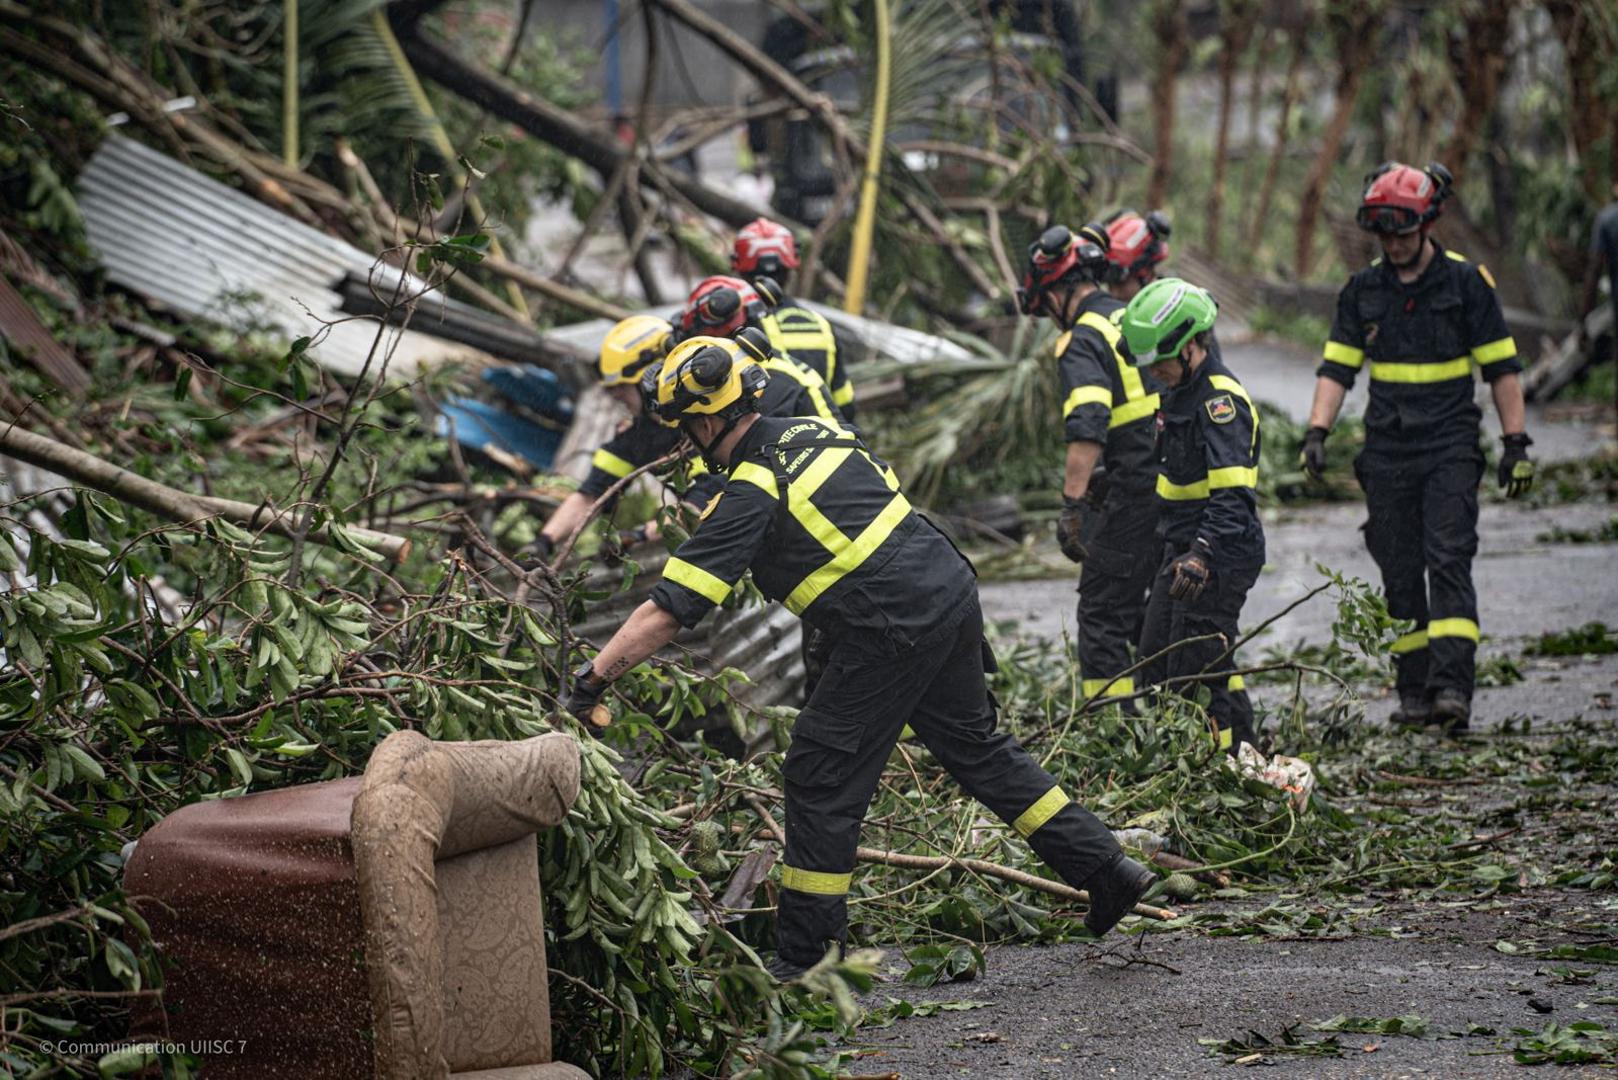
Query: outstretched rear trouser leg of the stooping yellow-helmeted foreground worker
957	723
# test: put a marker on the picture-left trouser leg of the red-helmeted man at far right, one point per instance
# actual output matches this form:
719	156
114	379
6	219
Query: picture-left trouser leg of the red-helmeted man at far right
1394	537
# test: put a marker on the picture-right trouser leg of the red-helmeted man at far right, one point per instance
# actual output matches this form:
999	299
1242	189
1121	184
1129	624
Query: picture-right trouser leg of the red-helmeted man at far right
1451	543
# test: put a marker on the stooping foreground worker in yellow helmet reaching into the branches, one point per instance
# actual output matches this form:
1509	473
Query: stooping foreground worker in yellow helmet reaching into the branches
826	530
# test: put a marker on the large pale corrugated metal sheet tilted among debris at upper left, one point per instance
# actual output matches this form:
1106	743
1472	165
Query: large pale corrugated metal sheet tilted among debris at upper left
192	244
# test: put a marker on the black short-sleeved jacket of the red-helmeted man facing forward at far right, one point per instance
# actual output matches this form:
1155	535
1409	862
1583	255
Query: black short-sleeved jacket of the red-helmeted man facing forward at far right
1421	342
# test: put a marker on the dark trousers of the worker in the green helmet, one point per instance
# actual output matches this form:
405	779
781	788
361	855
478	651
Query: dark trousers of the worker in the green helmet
1213	618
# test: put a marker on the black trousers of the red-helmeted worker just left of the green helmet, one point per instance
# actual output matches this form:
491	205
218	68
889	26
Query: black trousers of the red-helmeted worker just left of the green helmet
1114	584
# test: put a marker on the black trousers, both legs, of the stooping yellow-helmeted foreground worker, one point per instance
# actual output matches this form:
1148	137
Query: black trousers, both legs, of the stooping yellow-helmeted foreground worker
842	742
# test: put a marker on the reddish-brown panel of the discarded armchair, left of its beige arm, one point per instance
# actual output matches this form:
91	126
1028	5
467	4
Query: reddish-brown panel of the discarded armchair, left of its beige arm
255	909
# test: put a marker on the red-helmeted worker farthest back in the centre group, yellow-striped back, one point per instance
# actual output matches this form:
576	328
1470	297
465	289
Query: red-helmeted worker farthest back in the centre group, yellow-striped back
766	250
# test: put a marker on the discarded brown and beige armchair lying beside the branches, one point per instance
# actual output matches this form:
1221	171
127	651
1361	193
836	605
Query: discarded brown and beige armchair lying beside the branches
384	927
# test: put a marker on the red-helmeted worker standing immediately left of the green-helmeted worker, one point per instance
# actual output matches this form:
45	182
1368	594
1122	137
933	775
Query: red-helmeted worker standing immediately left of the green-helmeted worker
1109	516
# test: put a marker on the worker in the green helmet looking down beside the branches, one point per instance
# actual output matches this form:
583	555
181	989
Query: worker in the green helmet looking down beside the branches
1213	542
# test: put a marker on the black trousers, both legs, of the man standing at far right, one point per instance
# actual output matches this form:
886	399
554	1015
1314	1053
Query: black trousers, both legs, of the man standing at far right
1421	529
